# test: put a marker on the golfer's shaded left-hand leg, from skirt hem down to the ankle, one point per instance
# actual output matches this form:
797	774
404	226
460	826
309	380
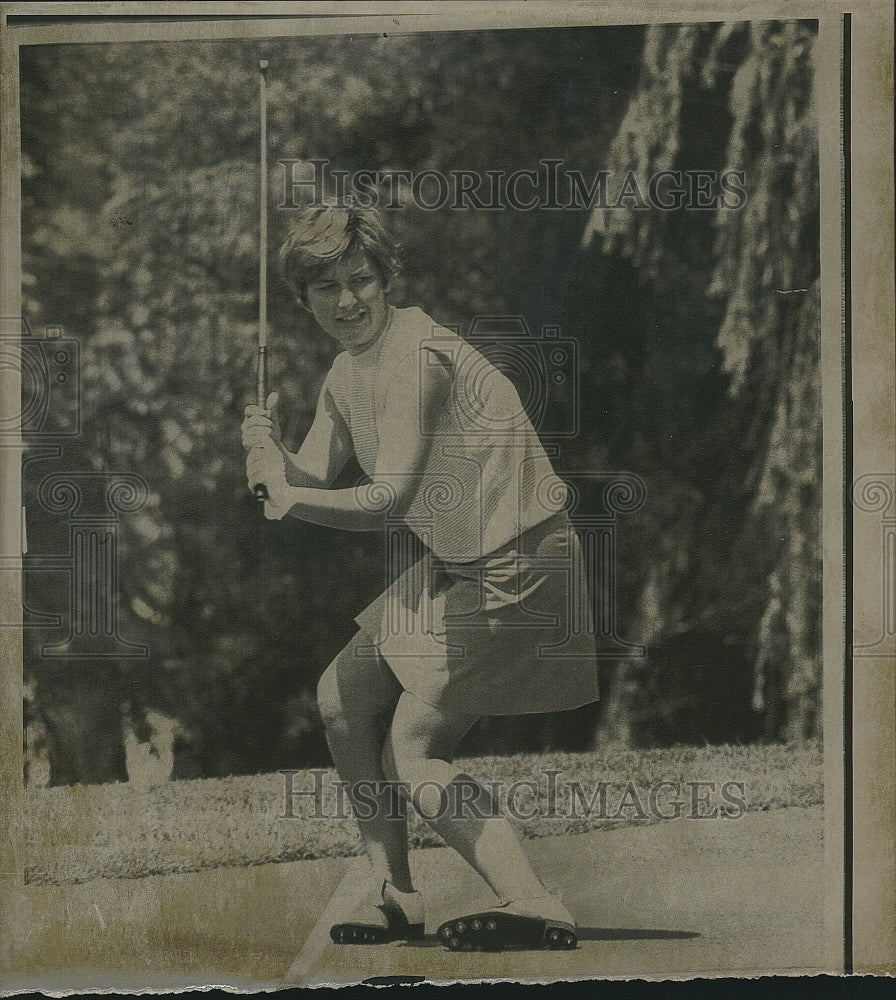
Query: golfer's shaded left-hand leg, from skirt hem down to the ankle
357	696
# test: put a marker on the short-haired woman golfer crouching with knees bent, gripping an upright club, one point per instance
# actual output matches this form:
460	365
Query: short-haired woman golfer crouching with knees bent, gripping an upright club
494	620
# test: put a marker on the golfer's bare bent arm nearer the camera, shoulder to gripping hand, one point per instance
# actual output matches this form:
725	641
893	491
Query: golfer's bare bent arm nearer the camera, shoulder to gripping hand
415	396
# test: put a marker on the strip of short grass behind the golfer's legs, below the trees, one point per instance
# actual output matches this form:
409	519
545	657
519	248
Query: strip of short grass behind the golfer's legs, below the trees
75	834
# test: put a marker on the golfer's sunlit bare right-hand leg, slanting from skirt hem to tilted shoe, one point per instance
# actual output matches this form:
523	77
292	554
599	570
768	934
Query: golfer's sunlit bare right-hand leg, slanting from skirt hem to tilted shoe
418	751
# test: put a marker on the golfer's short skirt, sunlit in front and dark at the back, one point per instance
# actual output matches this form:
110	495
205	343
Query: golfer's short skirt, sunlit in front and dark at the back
508	634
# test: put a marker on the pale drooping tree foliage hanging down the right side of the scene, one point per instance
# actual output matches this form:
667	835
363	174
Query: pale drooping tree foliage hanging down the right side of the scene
739	97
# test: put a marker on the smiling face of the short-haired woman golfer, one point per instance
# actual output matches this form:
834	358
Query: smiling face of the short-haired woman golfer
348	300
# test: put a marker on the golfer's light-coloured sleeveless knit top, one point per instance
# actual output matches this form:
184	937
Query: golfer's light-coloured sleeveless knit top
486	477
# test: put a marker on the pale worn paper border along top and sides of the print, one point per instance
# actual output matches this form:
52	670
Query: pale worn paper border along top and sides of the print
856	189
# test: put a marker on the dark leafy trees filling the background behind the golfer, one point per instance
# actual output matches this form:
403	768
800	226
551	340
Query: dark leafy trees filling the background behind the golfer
697	332
